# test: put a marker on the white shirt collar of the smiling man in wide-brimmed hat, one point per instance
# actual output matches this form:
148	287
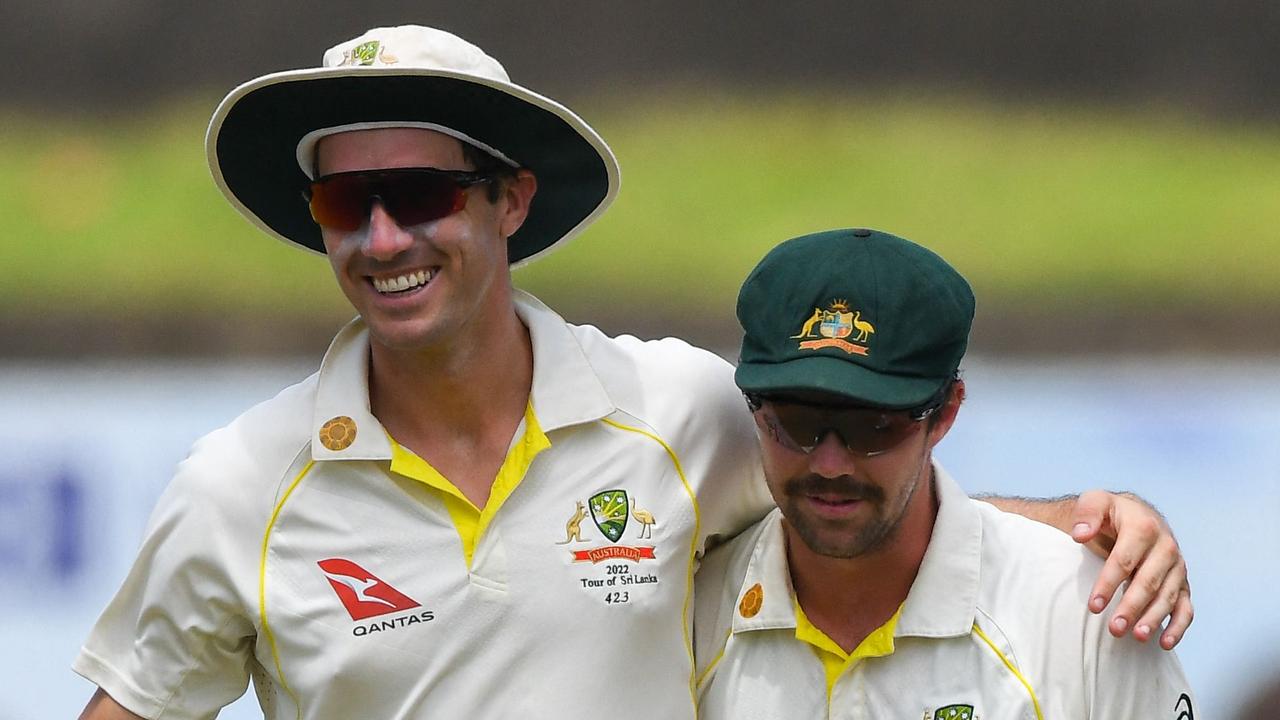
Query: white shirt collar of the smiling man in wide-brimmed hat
566	389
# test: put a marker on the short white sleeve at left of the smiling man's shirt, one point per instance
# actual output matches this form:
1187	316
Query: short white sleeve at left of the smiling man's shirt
177	640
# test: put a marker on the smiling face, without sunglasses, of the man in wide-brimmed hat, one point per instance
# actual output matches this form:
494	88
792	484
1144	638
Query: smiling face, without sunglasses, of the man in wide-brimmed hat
428	285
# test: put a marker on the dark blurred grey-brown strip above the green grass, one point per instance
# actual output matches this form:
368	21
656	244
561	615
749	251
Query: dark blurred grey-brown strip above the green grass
1214	58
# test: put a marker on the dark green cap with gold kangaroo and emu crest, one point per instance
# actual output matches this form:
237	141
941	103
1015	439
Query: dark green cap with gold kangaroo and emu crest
853	313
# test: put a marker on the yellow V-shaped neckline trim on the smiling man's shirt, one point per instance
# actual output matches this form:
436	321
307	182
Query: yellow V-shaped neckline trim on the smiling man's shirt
470	521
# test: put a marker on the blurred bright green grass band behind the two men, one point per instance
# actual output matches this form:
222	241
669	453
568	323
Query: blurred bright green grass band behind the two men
1043	207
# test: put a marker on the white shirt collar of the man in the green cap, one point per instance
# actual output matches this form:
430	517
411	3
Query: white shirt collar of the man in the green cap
943	601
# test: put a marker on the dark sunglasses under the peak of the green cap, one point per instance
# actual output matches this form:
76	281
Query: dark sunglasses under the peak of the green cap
802	427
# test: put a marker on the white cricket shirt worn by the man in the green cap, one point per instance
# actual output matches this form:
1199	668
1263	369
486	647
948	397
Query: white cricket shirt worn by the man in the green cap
994	628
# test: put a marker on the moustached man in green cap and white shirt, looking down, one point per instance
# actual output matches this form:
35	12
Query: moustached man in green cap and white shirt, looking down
877	589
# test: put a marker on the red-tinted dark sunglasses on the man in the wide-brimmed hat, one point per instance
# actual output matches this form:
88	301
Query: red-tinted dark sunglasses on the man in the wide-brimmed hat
410	195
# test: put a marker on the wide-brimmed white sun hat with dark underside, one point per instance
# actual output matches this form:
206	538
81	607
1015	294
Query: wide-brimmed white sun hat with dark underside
263	136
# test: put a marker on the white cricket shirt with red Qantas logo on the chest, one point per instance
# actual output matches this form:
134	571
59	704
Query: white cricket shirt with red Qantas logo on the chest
300	545
